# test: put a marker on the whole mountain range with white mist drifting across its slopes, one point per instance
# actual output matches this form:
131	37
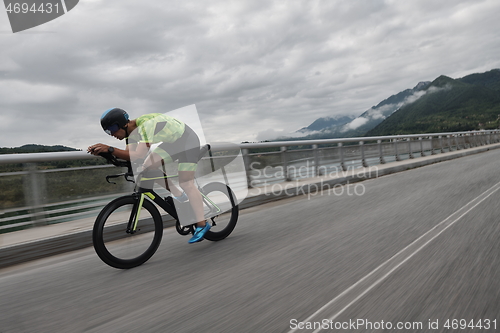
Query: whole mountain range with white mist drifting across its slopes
444	104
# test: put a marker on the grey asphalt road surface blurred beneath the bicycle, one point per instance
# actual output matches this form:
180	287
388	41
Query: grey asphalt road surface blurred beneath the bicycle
414	249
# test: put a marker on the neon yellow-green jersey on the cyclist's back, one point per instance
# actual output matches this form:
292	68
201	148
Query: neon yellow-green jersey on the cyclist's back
157	127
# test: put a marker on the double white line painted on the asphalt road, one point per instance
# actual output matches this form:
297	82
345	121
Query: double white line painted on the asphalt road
308	319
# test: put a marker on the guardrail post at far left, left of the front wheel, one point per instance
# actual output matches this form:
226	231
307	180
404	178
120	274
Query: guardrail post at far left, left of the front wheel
33	194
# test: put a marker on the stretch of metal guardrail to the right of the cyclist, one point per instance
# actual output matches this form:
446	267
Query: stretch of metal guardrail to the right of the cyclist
334	155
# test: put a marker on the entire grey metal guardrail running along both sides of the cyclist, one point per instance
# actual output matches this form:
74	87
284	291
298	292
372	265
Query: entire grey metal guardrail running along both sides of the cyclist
265	163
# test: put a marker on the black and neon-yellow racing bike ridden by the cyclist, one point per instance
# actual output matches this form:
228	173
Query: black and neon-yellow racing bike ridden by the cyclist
129	229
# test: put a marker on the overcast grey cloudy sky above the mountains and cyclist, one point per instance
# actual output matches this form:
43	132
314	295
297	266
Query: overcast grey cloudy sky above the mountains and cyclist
253	68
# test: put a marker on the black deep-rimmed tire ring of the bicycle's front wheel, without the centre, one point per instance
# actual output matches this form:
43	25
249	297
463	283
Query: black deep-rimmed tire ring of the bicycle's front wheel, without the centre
97	234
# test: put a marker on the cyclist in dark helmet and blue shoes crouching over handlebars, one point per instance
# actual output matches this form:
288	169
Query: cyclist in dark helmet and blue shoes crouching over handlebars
177	142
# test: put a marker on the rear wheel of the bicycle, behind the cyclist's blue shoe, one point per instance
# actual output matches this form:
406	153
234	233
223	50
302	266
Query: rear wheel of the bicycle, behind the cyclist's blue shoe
221	209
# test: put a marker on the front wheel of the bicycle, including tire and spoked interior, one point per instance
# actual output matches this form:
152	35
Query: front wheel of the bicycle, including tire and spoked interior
122	248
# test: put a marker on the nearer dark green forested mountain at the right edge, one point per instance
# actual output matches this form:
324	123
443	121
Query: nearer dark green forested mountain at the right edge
448	105
